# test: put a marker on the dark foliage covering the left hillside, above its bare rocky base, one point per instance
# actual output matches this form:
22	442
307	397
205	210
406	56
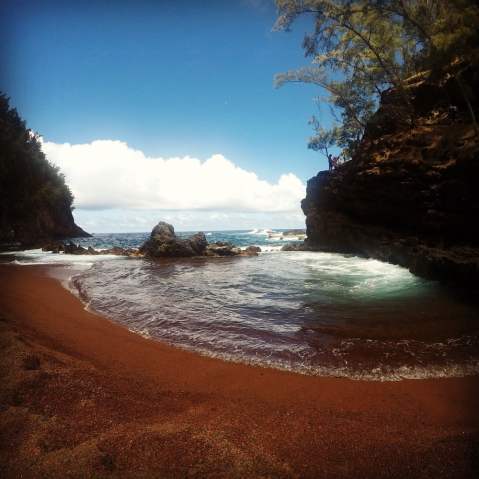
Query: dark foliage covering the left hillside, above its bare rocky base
29	184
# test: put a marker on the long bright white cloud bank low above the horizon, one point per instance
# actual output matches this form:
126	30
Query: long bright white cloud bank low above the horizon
107	174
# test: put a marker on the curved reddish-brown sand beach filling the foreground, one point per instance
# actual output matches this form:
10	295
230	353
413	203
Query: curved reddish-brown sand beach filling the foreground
84	397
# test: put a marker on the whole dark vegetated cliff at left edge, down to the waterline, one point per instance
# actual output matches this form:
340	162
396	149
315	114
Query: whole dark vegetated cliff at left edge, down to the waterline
35	202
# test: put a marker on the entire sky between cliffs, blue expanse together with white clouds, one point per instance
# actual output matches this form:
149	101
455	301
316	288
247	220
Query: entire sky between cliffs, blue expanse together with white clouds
164	110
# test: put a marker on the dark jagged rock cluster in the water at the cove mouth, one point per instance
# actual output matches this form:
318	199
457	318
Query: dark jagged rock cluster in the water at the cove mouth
163	242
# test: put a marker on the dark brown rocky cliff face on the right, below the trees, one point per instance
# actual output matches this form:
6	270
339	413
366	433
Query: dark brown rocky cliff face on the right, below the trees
409	195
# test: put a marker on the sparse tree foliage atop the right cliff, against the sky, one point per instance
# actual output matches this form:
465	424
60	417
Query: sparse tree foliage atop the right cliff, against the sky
361	48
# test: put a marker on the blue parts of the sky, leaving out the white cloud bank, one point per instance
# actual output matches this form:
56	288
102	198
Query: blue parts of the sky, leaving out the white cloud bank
167	78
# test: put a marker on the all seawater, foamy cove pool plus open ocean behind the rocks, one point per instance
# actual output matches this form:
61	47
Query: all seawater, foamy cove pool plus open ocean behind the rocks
315	313
